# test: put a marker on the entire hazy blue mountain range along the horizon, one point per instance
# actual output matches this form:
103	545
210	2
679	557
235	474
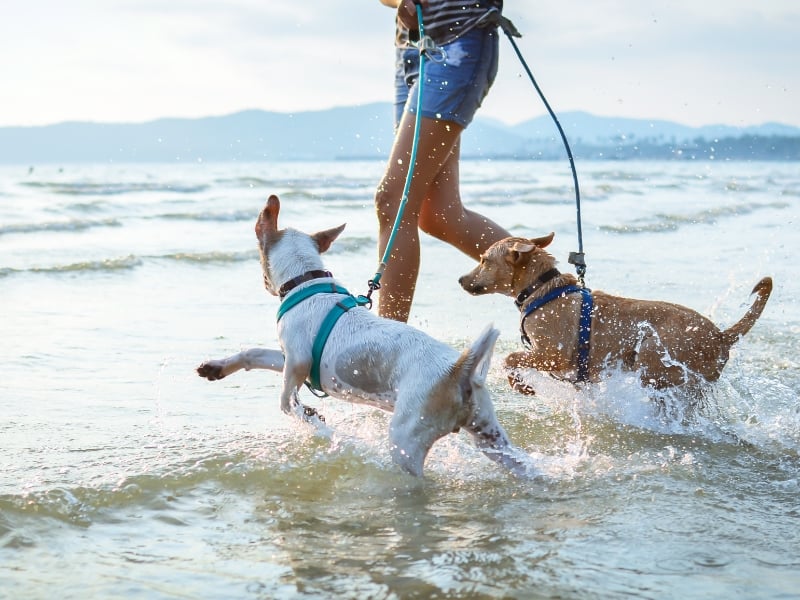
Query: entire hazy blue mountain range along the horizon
365	132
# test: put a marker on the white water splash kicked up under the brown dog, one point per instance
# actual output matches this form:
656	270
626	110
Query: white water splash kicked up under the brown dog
744	408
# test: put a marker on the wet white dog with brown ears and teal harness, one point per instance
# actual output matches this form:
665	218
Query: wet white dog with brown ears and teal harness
431	389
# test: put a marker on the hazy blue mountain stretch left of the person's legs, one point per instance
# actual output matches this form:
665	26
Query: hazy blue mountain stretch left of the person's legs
248	135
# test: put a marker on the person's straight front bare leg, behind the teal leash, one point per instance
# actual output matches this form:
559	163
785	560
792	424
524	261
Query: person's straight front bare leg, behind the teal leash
436	140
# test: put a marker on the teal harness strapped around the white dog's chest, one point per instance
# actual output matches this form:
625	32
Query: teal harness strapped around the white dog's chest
332	317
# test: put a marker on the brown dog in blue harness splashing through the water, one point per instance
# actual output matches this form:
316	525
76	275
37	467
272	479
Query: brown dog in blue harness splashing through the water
668	344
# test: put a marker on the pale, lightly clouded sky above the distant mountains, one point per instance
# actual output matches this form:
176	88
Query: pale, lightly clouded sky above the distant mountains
695	62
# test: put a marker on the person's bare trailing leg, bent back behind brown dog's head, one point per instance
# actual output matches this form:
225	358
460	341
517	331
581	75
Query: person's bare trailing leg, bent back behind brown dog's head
443	216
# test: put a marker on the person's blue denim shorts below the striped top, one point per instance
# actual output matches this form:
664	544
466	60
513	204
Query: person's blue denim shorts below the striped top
456	86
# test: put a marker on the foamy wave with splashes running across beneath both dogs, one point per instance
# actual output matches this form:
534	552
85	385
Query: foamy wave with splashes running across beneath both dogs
570	436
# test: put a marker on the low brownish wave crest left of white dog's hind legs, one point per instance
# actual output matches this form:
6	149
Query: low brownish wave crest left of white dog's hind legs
245	463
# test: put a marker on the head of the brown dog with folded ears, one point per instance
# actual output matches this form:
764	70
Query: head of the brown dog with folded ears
508	266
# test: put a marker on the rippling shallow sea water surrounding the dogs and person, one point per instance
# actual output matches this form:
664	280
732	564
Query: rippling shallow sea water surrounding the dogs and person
124	474
